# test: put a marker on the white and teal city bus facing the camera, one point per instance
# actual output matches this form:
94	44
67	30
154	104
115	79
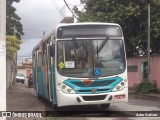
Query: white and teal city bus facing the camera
81	64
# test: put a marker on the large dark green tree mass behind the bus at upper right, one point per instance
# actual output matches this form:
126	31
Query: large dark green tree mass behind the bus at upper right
132	16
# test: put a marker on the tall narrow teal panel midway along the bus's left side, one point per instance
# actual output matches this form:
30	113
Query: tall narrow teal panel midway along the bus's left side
40	82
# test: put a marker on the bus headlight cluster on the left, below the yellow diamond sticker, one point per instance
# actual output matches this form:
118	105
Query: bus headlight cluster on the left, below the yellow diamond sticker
66	89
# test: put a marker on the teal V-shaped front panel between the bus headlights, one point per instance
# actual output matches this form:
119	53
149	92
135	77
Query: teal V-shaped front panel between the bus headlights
80	87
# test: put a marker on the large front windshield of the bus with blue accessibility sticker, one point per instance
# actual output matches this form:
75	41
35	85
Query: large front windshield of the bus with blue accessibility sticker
90	58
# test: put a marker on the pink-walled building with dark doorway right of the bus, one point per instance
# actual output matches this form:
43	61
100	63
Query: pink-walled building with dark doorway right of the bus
137	70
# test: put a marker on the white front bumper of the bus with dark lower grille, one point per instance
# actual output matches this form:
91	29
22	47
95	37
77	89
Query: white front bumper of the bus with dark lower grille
91	99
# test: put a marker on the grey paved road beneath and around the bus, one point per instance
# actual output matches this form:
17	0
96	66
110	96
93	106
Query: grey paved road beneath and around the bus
82	112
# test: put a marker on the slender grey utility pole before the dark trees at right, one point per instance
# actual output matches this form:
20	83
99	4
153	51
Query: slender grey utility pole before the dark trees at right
148	58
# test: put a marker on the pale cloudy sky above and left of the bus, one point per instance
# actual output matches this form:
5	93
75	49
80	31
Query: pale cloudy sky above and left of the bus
38	16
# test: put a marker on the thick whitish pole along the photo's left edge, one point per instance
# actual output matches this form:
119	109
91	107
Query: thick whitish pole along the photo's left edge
3	56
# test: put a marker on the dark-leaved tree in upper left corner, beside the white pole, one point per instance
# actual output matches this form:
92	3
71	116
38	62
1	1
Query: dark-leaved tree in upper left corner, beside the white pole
13	20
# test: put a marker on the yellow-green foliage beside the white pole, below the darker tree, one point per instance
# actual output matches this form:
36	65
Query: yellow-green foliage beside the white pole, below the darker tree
12	45
